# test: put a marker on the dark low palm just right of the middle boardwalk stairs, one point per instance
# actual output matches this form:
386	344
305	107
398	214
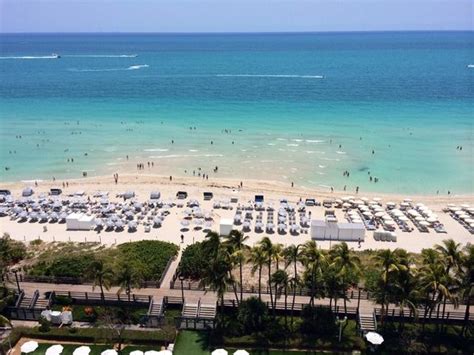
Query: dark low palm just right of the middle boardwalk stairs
218	277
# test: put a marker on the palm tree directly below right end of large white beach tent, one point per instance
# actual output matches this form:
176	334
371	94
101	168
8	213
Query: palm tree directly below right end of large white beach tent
347	265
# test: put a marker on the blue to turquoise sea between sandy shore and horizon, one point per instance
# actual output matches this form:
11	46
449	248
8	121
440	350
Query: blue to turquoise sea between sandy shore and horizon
299	107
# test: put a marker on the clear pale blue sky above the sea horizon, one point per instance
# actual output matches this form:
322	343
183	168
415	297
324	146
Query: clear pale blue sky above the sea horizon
233	15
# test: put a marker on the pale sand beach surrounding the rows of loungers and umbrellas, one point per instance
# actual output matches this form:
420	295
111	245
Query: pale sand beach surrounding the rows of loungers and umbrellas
170	230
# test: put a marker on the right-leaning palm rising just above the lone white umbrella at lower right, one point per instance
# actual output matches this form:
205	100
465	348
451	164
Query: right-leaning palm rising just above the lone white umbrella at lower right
390	263
